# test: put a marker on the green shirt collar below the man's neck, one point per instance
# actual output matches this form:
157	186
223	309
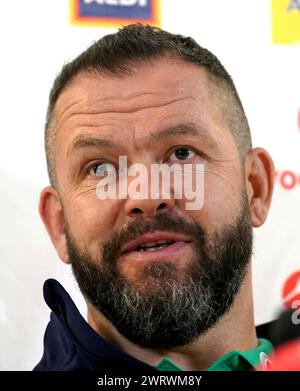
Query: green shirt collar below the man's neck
232	361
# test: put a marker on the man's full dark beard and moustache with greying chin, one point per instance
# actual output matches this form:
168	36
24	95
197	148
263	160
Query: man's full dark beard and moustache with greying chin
165	310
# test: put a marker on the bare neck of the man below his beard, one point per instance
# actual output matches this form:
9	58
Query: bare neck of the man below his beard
235	330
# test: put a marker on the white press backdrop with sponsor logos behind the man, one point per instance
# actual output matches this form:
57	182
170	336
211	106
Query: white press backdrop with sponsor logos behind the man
256	40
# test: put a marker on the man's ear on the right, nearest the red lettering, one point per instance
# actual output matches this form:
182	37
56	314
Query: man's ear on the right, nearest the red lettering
260	173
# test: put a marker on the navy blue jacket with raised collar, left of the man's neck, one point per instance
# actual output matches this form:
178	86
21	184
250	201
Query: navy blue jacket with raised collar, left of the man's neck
71	344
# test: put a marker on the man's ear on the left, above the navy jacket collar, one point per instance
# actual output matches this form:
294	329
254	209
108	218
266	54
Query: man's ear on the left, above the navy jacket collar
51	212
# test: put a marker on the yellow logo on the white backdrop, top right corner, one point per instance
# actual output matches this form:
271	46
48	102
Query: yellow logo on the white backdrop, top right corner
286	21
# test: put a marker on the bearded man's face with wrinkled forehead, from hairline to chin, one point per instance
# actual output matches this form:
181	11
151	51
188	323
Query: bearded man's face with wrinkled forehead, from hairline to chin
168	294
